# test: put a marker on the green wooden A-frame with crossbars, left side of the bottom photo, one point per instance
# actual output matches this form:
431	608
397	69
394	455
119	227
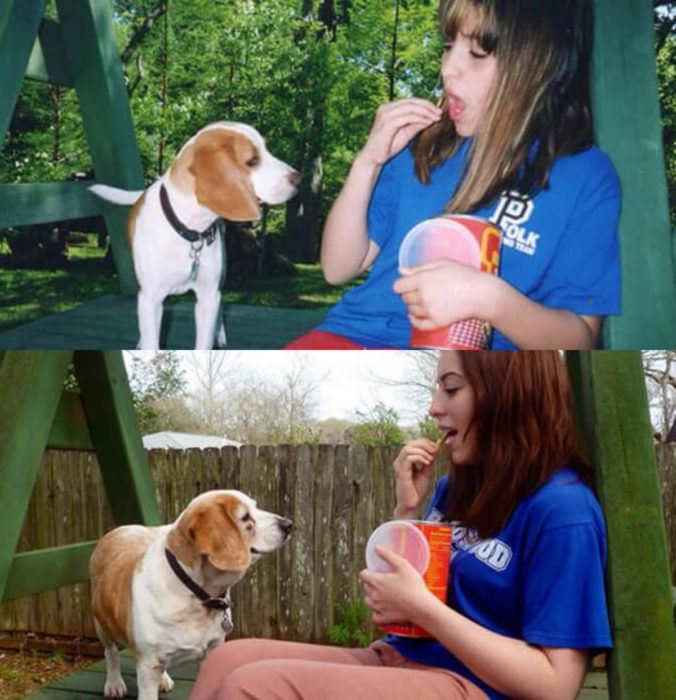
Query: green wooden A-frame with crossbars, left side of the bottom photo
33	412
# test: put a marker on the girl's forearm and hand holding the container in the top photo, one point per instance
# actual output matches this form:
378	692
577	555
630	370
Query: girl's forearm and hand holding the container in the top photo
445	291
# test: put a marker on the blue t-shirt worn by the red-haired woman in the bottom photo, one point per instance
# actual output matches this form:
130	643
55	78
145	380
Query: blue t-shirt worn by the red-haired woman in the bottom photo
540	578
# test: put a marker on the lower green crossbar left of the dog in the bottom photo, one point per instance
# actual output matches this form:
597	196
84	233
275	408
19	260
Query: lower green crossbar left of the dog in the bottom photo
47	569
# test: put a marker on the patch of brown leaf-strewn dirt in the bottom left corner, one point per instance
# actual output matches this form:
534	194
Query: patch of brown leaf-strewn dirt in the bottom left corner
23	672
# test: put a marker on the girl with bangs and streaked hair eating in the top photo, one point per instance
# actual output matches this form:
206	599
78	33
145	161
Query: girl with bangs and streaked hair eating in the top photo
512	142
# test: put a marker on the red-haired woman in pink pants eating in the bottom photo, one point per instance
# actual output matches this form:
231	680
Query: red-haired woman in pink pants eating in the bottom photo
526	600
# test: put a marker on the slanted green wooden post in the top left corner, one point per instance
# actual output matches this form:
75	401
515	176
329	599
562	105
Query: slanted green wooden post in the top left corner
19	22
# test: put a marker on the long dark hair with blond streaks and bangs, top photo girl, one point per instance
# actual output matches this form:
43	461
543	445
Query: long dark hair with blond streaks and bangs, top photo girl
539	107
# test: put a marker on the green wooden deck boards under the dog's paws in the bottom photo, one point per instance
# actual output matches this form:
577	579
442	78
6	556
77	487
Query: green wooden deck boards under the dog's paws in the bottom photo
89	683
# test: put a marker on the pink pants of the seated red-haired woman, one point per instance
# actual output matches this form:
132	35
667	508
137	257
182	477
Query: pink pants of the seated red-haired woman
267	669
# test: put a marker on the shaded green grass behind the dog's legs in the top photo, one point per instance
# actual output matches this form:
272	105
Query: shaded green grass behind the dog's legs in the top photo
29	293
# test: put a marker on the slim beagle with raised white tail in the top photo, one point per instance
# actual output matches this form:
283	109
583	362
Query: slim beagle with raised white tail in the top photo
175	226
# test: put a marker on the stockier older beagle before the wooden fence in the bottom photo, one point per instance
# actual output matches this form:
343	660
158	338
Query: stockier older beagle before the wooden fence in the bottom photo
164	591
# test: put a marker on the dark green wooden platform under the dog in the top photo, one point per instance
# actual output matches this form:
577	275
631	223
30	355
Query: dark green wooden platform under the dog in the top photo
109	323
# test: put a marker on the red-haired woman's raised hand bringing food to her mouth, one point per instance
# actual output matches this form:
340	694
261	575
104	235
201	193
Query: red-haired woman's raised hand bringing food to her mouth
412	474
